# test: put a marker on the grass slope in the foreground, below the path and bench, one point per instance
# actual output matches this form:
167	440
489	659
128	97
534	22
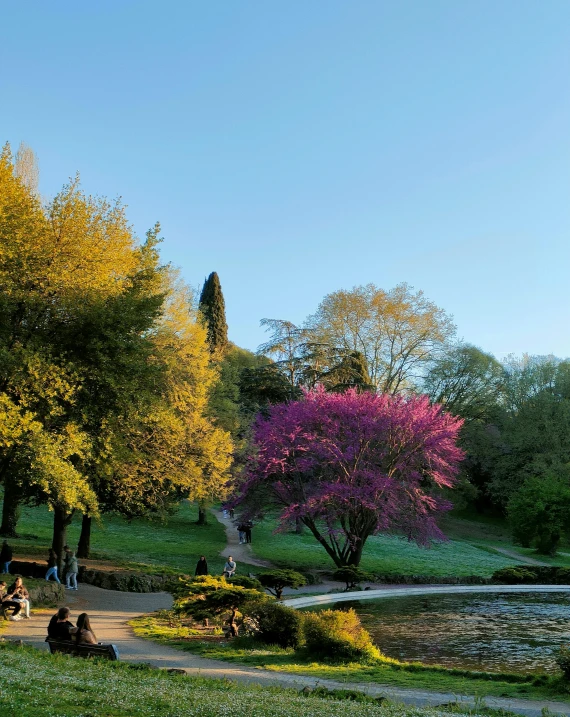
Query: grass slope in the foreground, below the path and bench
36	684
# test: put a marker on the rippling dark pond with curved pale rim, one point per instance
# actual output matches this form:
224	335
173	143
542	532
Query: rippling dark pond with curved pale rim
501	632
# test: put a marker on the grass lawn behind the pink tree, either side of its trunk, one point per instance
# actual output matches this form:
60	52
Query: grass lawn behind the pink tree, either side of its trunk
382	554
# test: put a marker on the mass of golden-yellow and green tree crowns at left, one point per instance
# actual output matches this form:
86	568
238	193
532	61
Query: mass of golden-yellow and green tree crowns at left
104	368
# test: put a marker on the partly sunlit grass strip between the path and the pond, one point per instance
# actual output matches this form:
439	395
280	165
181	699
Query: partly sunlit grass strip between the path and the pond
387	672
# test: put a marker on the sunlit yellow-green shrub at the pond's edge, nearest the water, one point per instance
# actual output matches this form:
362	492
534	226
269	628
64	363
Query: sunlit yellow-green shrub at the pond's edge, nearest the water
339	634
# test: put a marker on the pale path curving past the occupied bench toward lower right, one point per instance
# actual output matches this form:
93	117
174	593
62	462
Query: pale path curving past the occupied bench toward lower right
110	611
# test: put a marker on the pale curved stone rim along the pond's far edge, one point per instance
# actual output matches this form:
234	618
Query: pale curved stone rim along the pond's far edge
409	592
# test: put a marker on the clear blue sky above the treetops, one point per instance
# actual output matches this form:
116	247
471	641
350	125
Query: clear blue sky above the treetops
305	146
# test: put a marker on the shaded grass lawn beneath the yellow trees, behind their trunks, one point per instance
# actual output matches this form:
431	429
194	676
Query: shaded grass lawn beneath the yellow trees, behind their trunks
173	545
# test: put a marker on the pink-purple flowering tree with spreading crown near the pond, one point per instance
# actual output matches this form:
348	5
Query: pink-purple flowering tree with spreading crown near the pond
351	465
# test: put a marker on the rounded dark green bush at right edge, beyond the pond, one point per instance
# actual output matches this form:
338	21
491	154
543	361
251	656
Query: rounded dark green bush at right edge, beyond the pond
539	512
